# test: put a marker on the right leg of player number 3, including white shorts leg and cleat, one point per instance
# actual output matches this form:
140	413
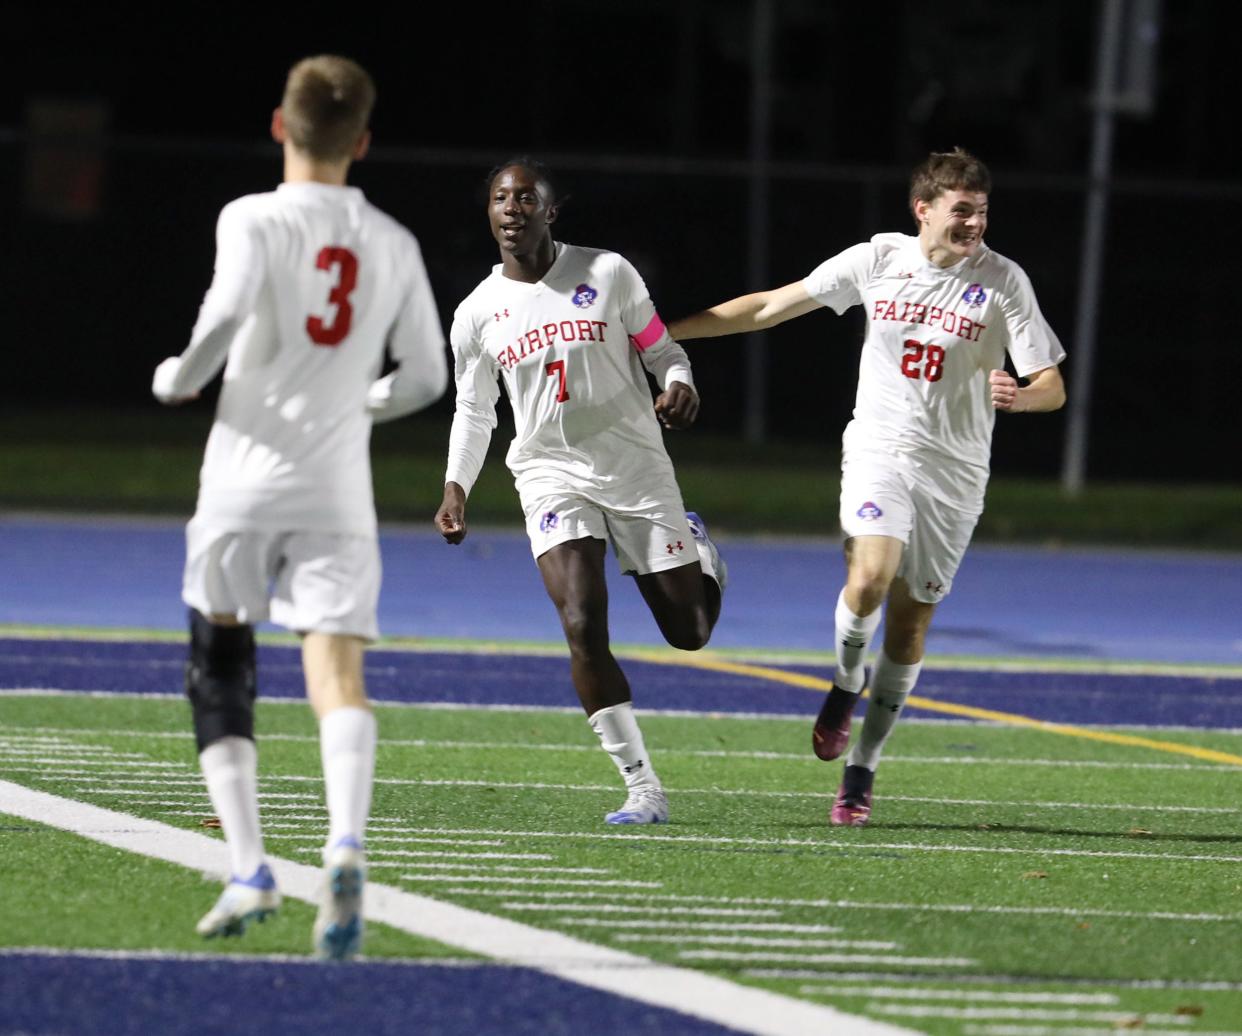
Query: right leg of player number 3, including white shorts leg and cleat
329	591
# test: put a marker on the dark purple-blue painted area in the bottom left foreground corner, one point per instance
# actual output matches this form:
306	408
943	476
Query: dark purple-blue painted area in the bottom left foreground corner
137	997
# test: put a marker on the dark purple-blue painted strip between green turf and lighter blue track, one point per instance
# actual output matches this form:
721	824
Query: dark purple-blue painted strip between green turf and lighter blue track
527	680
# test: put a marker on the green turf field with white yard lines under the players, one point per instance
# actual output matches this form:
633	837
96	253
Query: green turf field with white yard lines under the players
1045	861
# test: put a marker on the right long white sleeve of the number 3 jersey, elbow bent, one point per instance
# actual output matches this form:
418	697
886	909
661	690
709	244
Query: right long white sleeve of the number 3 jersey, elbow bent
418	347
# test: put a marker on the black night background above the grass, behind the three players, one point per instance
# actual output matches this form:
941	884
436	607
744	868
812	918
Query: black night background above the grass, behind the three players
124	134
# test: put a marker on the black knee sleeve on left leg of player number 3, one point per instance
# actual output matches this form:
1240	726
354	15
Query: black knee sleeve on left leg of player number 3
220	681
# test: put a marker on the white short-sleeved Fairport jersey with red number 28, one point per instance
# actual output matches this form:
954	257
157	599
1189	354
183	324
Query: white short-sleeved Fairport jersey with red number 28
933	336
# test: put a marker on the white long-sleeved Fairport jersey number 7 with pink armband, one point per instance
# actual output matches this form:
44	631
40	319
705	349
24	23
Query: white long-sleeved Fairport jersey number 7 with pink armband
571	351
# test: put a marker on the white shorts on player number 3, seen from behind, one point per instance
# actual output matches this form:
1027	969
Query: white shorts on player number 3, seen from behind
307	582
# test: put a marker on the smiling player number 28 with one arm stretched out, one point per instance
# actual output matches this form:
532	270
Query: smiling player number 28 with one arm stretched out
942	312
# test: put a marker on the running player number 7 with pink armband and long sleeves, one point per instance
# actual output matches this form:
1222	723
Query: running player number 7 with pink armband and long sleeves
572	334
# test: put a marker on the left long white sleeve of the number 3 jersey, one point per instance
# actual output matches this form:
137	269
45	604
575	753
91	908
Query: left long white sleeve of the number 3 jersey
237	283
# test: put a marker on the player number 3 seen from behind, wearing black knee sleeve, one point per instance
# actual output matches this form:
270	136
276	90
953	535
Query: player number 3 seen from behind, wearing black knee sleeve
311	285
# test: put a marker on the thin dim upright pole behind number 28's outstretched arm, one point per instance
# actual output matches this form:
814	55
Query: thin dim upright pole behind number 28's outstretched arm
756	425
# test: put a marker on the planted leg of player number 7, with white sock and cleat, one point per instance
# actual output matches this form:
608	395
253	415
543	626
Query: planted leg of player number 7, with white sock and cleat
573	575
